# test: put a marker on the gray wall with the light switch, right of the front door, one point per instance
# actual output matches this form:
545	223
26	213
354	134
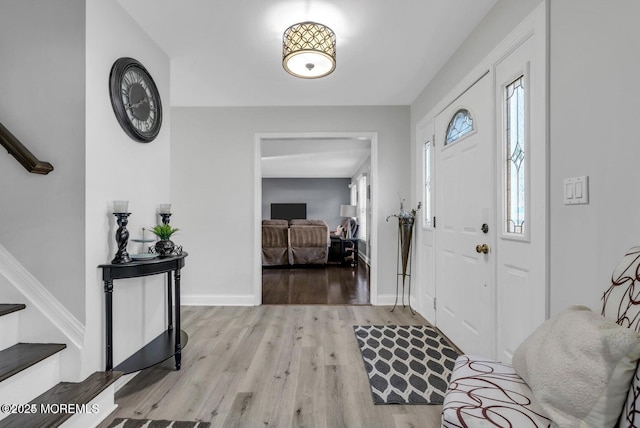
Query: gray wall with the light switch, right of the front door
594	90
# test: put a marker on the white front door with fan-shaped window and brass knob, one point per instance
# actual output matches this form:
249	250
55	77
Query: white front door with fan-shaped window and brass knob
465	221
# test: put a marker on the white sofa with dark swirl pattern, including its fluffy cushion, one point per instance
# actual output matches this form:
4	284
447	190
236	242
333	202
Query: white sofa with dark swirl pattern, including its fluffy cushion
578	369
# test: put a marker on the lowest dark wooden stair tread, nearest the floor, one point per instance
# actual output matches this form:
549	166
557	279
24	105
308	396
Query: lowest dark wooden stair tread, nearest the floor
67	393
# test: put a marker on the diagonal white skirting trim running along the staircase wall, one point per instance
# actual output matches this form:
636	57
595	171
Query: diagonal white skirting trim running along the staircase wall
41	298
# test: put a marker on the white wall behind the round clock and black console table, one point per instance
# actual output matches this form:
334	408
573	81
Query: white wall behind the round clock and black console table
119	168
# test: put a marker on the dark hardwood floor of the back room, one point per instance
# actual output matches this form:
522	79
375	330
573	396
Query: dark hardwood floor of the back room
330	284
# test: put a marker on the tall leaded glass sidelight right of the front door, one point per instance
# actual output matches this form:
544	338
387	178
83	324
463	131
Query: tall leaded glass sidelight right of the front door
515	157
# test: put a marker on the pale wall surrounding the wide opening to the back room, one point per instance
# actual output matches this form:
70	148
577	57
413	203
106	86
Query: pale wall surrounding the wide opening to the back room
212	169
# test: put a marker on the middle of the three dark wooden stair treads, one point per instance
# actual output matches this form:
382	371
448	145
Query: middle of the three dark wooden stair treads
23	355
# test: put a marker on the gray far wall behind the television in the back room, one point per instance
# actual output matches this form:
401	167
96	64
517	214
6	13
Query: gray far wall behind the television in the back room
323	196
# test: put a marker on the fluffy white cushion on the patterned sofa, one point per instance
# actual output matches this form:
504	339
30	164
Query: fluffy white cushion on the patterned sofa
579	366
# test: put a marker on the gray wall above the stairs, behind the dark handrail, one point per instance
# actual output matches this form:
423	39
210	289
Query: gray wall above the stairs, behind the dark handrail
42	93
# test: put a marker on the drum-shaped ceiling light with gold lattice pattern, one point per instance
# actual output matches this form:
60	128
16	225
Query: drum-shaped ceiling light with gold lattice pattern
309	50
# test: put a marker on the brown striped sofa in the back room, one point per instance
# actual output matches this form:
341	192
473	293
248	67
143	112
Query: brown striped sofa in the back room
294	242
